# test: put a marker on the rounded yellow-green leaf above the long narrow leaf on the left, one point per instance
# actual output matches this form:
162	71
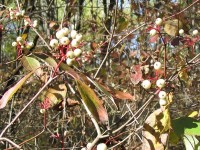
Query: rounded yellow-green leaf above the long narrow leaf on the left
32	64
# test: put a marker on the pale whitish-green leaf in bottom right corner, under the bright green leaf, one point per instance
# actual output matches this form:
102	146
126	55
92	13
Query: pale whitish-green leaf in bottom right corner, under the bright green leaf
191	142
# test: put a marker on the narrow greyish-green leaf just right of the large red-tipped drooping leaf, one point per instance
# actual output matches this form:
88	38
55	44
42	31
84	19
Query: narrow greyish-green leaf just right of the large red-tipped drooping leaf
110	101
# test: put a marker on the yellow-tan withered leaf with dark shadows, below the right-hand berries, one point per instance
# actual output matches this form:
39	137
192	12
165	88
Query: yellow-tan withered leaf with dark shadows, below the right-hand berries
156	130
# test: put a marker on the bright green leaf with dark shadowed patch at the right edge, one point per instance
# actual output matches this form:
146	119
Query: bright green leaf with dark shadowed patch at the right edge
186	125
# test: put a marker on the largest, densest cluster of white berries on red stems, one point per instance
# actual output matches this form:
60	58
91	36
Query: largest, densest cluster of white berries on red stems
68	43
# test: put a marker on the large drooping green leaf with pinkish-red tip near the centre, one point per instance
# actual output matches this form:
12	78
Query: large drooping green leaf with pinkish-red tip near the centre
92	102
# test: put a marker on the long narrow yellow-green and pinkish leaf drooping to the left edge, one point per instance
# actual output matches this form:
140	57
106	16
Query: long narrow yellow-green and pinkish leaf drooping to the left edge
9	94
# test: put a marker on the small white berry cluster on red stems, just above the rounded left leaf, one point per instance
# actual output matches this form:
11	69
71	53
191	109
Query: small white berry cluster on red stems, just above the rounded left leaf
21	45
